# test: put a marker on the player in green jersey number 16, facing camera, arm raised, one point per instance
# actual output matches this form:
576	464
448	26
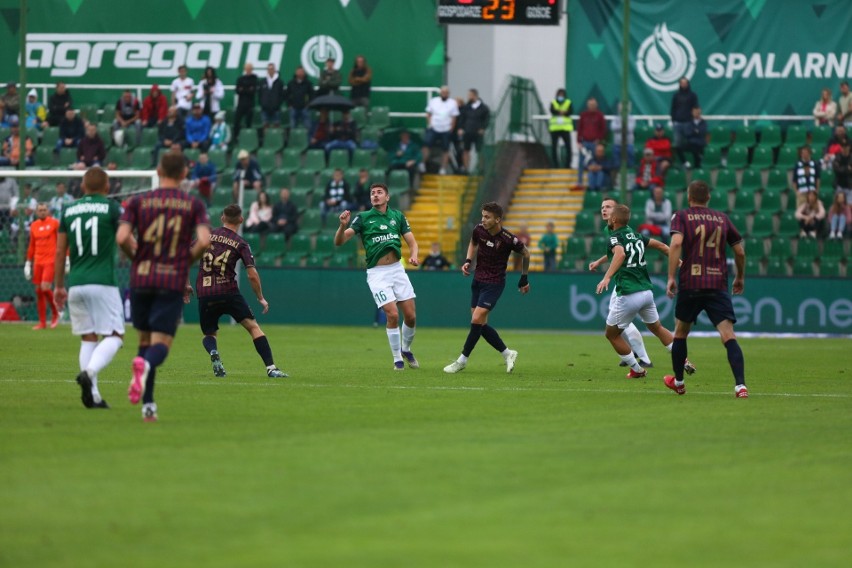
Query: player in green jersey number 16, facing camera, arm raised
382	230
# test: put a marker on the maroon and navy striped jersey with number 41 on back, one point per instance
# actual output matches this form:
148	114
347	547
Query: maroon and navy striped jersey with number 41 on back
165	221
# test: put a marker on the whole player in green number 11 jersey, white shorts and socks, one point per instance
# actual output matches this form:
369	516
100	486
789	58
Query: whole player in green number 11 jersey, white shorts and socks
87	235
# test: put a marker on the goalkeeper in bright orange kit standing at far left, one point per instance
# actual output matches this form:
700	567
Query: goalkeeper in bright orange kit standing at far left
40	263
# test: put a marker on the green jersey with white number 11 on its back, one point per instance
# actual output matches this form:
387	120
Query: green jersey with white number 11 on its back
90	224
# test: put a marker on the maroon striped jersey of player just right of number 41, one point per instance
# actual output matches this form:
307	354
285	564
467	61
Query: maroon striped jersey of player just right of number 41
217	274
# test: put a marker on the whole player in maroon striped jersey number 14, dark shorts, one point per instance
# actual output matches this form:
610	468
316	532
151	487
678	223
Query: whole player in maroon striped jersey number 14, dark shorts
699	236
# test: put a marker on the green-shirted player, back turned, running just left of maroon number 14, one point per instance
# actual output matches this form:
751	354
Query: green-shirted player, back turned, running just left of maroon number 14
633	287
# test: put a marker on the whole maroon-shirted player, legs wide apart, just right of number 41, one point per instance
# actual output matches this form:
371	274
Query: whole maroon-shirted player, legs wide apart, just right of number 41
219	294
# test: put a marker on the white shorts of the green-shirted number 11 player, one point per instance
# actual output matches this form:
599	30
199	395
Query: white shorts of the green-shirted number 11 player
95	308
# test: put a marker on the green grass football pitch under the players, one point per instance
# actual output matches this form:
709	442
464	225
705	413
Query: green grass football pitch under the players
348	463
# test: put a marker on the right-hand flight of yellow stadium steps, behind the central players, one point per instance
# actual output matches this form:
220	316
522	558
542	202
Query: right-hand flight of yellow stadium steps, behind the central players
542	196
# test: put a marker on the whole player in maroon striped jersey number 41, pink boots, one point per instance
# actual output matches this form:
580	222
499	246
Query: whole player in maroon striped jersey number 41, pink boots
166	220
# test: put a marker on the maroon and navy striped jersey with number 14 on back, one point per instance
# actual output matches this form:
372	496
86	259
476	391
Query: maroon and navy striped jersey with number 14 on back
705	234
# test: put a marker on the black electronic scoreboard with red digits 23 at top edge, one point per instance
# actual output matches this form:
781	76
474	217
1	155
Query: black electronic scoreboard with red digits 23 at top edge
499	12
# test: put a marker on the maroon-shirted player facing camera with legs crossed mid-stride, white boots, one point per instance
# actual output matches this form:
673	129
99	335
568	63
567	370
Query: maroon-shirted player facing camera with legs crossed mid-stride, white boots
492	245
